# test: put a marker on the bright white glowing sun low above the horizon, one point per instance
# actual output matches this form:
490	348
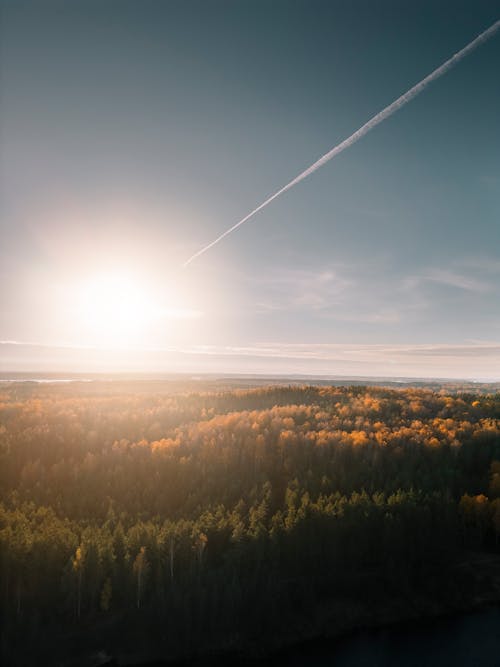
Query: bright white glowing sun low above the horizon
116	308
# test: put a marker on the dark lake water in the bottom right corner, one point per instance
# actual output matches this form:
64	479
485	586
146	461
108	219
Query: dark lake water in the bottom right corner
469	640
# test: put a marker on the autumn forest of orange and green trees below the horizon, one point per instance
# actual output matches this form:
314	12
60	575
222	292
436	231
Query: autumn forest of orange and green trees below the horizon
195	522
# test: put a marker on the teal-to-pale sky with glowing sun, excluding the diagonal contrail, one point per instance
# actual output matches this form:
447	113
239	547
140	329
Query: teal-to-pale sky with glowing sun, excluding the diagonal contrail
132	133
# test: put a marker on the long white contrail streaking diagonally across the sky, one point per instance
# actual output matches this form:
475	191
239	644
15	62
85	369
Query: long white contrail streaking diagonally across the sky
364	129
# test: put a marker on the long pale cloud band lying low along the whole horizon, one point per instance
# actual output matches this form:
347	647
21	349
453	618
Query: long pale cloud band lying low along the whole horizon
478	360
